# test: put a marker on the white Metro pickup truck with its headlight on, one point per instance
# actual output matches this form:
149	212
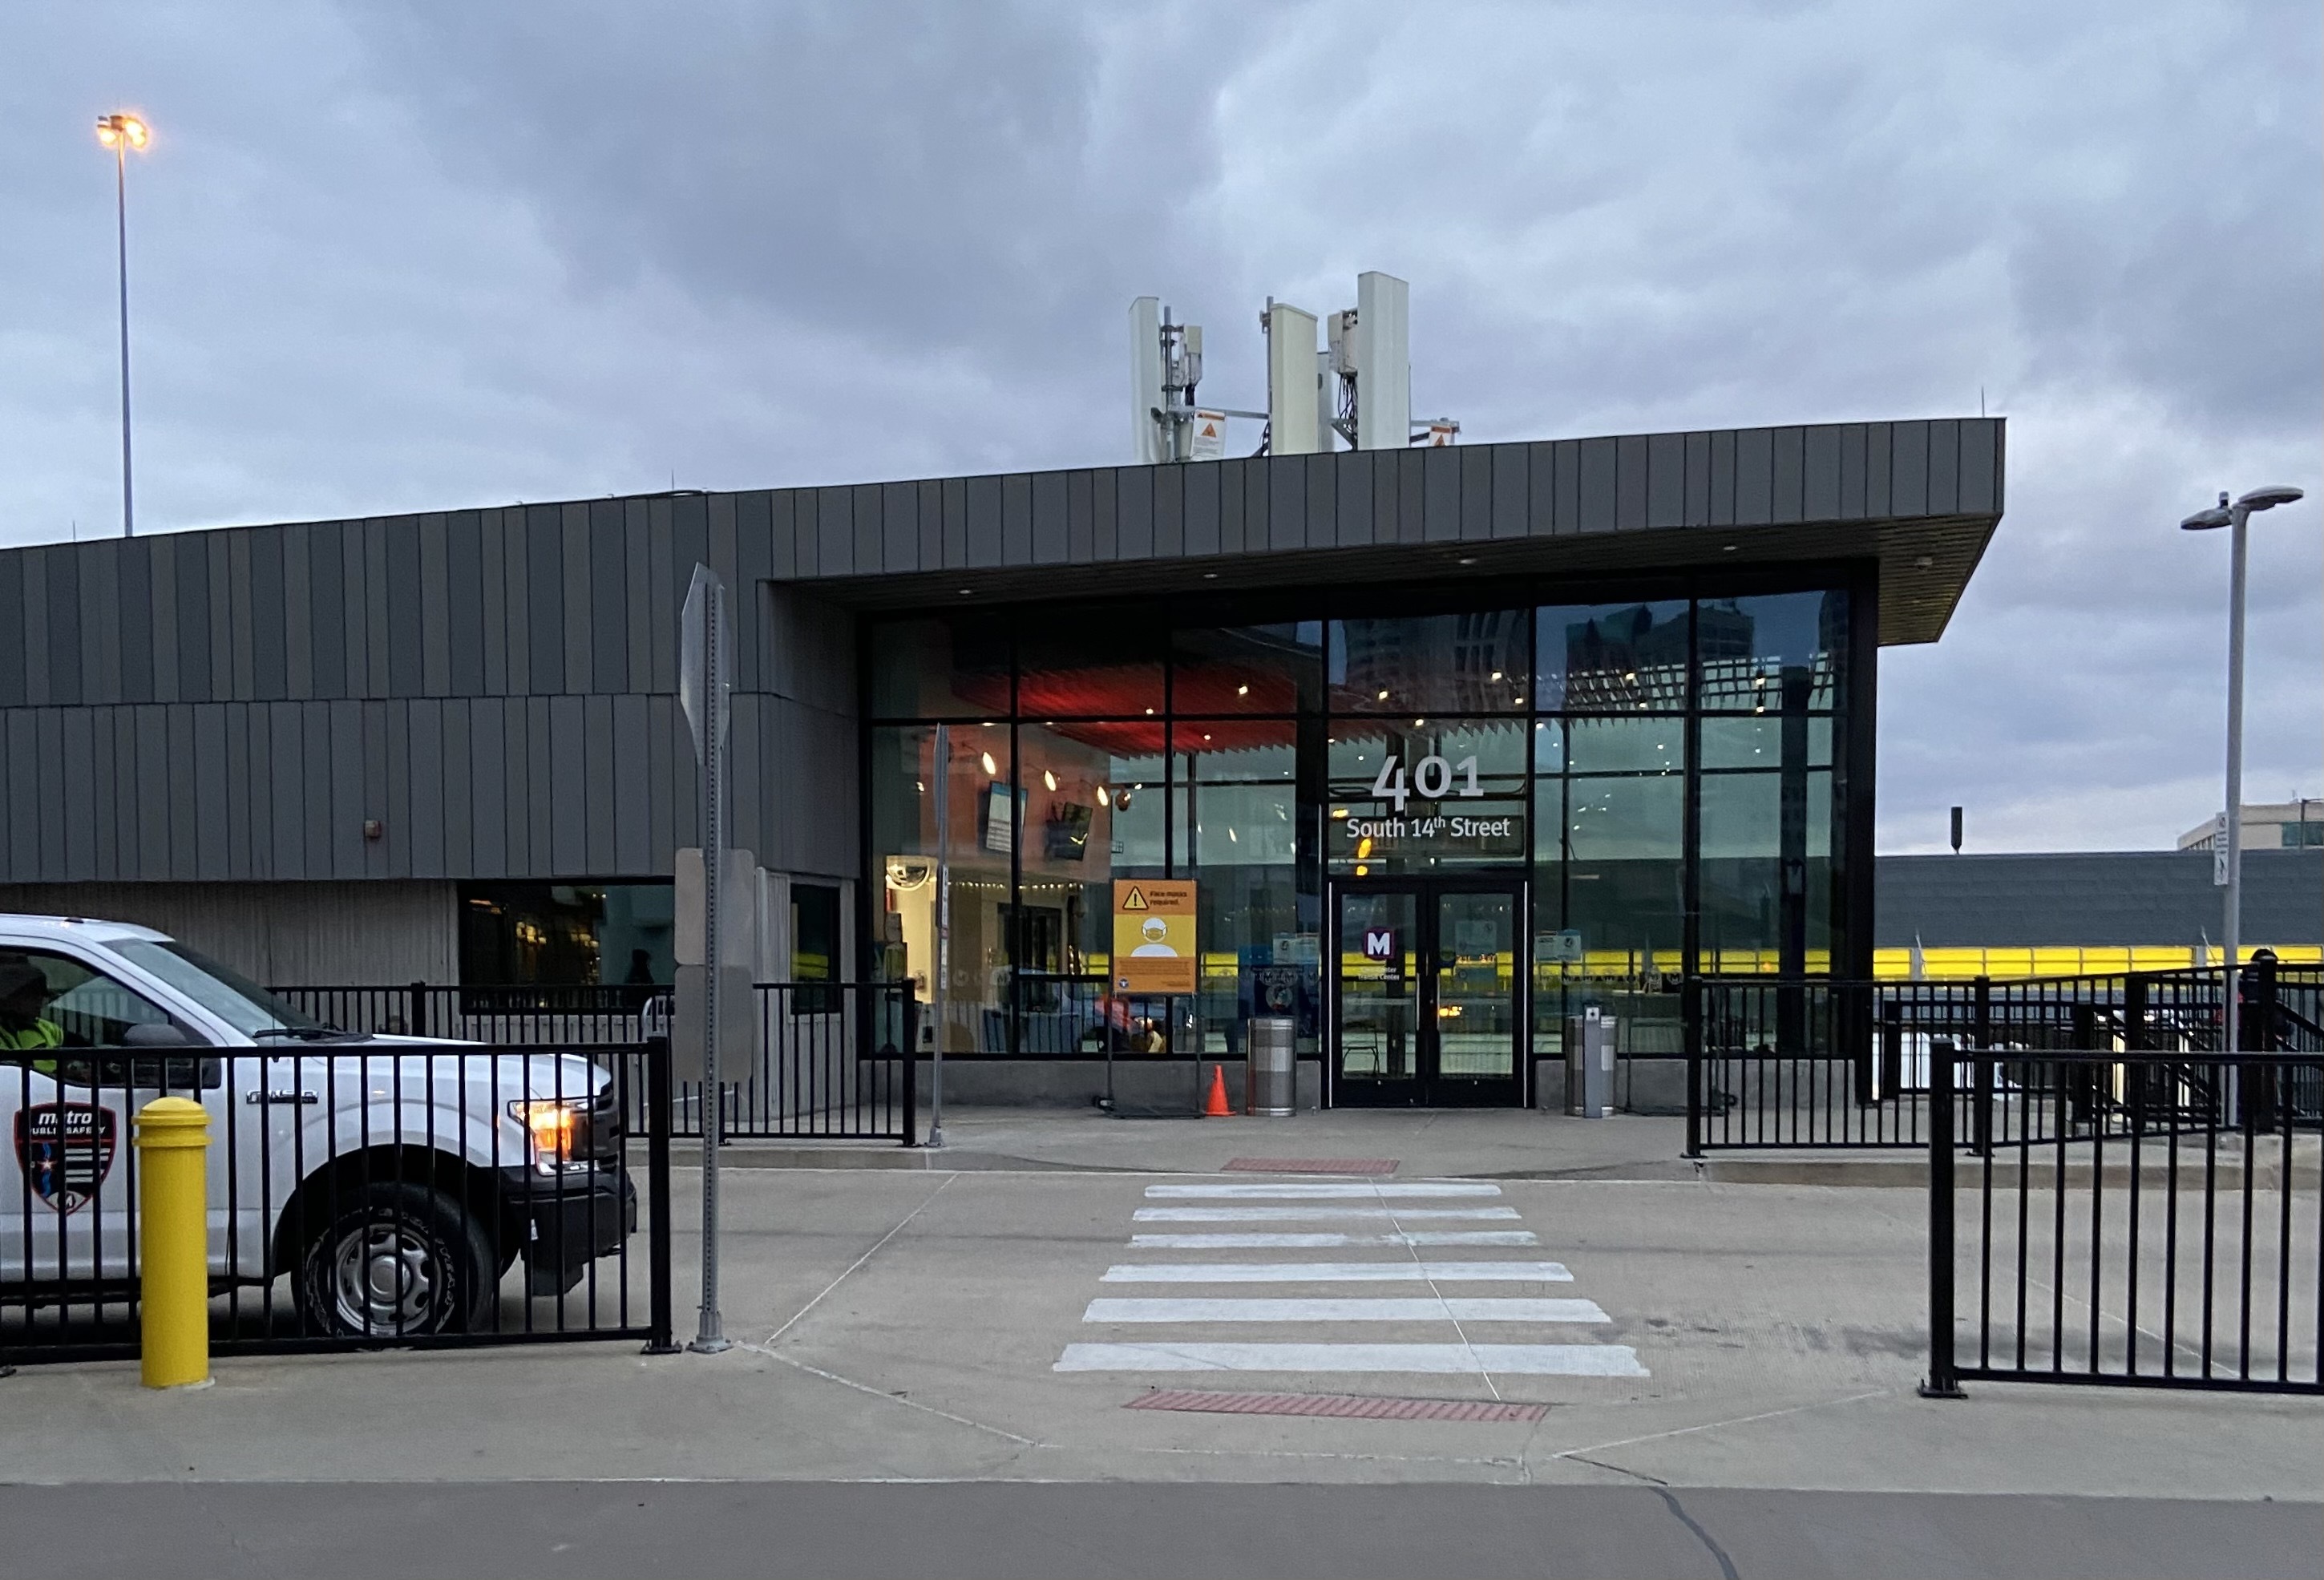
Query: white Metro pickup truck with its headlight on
394	1184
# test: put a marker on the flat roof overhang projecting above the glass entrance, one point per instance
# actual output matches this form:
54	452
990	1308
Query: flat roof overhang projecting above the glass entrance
1918	501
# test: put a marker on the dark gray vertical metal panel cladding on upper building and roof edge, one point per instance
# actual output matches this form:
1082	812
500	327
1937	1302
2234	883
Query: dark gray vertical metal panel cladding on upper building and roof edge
496	687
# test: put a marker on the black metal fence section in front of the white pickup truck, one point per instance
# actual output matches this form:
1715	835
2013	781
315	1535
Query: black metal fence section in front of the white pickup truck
359	1195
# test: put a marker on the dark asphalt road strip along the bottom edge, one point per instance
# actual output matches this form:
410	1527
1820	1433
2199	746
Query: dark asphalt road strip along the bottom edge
1105	1530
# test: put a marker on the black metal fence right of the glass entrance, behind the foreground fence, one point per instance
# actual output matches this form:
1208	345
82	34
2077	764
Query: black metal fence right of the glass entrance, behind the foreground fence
1846	1065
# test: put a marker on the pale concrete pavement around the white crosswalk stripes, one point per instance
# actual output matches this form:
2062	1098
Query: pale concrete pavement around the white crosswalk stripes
912	1326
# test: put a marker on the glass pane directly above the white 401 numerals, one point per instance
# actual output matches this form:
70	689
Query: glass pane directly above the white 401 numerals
1437	663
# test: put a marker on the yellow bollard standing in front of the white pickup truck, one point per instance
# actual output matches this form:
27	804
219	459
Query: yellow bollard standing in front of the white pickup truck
173	1240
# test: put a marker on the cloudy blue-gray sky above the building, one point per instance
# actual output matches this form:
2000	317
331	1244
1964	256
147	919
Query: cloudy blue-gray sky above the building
445	254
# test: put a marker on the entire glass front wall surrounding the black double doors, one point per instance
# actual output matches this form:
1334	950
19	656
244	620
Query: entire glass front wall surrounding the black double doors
1663	773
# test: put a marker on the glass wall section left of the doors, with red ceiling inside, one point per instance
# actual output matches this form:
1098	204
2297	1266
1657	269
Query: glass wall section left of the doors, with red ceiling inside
1128	752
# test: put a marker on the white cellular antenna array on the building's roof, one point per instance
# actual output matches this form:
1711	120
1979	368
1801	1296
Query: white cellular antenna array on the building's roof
1356	389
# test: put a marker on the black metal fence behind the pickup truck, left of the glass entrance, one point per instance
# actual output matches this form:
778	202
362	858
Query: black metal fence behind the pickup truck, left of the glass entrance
829	1061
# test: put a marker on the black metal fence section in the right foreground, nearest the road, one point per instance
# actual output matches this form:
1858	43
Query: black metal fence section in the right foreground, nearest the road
2125	1219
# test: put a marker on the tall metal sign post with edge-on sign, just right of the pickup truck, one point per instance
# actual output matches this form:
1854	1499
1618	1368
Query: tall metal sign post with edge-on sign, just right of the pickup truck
705	694
